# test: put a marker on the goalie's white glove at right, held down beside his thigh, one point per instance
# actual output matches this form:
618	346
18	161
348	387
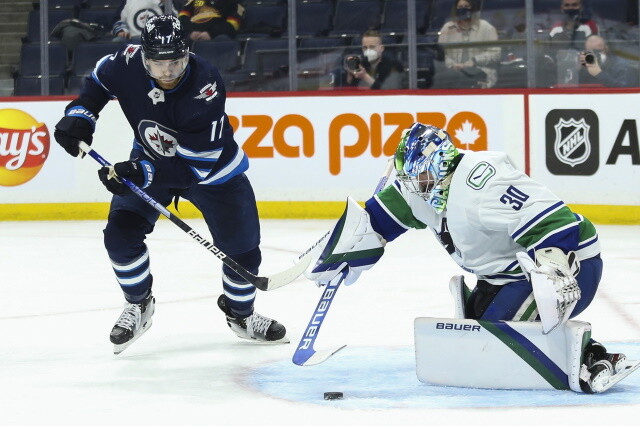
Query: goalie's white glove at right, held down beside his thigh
555	288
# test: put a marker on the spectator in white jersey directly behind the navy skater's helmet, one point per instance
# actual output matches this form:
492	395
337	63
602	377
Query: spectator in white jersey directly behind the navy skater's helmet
133	16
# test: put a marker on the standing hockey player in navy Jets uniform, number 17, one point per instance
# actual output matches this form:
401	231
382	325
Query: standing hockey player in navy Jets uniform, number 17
183	146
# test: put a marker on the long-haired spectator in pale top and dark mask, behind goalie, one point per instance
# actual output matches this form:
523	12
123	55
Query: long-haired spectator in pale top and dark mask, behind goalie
474	66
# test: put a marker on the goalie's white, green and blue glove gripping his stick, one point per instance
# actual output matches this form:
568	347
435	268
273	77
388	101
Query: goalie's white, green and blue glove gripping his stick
353	244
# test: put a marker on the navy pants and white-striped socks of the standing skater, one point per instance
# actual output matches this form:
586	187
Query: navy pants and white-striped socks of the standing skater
229	209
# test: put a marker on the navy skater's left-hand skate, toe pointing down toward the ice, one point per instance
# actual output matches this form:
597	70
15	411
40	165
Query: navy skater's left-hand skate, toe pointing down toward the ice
133	322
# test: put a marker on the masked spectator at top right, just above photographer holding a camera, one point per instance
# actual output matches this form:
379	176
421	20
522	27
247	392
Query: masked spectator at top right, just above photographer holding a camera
576	25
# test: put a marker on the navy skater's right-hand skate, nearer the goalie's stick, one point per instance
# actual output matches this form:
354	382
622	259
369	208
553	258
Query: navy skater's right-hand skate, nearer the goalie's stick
255	327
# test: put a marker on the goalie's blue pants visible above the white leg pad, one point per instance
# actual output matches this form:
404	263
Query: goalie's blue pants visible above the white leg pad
492	302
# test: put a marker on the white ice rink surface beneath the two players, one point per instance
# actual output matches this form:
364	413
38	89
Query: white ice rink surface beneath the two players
59	300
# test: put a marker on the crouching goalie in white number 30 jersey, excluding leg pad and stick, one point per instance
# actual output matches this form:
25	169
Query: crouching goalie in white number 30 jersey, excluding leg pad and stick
483	211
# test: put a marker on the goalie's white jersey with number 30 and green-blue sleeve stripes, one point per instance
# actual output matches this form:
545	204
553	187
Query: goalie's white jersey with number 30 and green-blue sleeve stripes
493	212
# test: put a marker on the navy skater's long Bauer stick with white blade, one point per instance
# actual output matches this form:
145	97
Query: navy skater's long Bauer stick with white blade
262	283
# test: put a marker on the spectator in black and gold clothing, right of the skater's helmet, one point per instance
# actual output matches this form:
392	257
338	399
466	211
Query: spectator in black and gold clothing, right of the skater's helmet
208	19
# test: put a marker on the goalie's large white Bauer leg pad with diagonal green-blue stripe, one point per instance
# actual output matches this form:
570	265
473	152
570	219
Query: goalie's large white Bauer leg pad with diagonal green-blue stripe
499	354
